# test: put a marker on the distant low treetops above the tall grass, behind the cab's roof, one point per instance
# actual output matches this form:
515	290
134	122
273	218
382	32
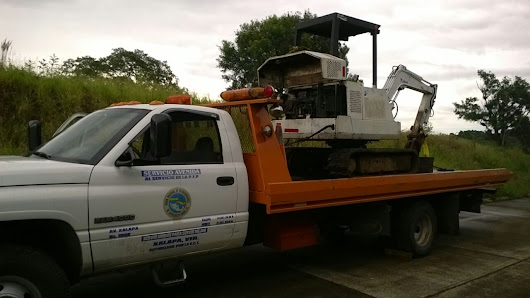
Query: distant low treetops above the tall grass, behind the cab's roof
122	64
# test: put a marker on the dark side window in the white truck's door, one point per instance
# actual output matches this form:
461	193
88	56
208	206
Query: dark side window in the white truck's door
195	140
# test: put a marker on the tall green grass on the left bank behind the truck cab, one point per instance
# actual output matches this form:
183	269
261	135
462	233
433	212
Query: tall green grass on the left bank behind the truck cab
26	96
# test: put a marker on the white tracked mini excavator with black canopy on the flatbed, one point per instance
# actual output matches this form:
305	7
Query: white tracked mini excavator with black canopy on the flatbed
321	102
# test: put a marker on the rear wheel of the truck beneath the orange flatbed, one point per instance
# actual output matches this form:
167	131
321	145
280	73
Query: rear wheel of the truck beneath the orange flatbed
415	229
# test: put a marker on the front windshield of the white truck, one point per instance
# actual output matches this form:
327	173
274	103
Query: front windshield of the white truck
89	140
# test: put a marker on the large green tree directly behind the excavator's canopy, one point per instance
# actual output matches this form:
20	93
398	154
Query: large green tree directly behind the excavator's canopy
258	40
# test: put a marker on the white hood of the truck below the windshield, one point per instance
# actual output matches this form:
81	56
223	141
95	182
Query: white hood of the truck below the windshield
17	170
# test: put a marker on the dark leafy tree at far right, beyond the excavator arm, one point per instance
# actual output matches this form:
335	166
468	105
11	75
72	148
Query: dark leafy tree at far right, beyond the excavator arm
504	105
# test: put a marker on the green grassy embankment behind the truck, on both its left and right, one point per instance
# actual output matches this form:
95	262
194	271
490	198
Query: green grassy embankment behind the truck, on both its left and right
25	96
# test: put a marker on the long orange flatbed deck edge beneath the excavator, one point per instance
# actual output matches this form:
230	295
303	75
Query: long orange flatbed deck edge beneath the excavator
300	195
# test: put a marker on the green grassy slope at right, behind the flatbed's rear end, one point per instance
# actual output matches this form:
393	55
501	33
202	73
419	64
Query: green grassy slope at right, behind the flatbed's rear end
456	153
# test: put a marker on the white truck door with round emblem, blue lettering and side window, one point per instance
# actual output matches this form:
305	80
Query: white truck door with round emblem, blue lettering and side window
160	208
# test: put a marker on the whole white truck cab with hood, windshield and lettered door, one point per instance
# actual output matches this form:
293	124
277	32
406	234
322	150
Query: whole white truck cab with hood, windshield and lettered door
133	190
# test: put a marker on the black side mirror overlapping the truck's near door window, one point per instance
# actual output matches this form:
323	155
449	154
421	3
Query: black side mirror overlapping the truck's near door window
160	135
